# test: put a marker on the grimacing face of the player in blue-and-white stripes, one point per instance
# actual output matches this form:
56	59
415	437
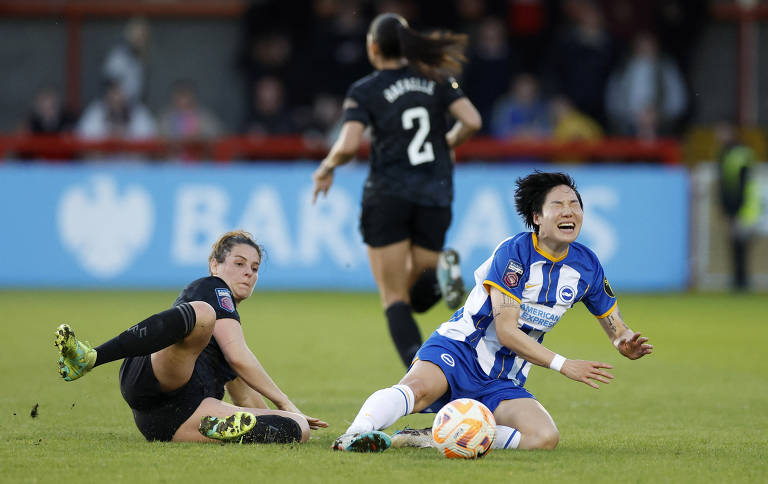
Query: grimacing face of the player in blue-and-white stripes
560	218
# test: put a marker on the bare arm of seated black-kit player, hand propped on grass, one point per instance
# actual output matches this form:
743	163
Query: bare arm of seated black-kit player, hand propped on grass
230	338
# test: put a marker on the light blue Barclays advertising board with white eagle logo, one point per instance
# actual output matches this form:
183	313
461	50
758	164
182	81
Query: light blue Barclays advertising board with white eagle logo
150	226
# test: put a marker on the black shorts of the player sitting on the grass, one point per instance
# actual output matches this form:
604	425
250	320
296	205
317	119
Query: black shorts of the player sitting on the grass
158	414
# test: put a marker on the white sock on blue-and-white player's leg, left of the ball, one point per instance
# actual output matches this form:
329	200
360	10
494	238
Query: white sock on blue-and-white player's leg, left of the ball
383	408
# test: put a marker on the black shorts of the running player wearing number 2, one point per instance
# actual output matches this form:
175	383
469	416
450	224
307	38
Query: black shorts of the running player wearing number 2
387	220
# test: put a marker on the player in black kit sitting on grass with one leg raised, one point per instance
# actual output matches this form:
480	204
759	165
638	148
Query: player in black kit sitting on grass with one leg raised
177	363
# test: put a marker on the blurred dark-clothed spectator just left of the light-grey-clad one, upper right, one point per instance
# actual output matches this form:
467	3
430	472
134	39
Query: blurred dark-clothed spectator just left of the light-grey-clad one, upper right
581	58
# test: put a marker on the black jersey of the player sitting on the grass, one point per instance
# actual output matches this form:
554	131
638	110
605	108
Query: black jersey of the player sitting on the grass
215	292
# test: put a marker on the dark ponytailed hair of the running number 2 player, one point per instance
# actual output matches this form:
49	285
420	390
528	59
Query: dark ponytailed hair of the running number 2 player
438	55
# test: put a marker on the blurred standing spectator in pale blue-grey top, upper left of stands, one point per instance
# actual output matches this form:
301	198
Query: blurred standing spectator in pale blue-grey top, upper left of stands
126	62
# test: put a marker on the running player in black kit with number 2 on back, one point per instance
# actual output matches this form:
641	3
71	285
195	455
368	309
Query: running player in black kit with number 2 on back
407	196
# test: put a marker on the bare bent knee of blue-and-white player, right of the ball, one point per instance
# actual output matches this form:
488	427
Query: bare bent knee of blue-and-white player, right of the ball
531	419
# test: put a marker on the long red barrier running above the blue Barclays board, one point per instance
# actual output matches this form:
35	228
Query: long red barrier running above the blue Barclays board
296	147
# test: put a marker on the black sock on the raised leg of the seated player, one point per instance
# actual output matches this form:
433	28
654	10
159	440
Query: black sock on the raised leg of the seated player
153	334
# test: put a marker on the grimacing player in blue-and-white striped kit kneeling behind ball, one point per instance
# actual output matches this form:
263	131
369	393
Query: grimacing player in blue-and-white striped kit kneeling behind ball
487	348
